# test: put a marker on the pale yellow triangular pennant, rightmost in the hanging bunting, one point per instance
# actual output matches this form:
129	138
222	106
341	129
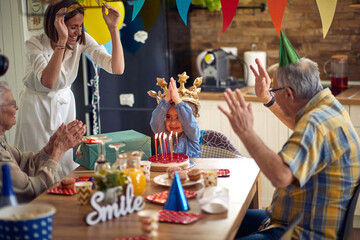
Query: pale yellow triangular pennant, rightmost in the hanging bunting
327	11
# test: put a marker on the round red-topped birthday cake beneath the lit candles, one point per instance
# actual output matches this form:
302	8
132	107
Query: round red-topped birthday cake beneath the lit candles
161	162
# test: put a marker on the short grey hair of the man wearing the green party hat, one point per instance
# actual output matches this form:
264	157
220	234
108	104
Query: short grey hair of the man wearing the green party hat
302	77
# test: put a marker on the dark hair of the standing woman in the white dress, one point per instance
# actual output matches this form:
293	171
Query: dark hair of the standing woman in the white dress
50	15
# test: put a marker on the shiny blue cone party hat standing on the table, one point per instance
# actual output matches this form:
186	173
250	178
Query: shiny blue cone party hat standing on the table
176	200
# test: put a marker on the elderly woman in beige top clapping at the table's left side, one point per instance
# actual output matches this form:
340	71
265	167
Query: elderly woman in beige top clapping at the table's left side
33	173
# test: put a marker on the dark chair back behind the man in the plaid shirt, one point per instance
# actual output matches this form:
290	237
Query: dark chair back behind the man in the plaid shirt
346	233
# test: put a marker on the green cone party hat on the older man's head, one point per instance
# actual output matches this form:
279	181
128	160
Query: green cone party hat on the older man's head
287	53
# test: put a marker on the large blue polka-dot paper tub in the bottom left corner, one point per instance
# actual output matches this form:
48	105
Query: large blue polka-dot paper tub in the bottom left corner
27	221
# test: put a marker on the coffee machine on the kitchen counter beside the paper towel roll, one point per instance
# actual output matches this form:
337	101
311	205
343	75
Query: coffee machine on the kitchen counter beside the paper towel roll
214	66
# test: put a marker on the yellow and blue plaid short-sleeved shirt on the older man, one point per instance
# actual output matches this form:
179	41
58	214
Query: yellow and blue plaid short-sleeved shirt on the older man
323	154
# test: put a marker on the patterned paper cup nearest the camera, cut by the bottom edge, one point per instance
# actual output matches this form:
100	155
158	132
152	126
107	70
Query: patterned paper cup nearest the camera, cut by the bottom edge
149	223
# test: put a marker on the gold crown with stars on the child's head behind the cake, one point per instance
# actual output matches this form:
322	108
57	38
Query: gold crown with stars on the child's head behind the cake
187	95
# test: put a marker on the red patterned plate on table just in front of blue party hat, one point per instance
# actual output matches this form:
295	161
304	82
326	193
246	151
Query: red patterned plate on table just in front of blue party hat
178	217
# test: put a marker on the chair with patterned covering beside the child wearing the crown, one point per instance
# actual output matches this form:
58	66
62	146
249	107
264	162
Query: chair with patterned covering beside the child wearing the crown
216	145
